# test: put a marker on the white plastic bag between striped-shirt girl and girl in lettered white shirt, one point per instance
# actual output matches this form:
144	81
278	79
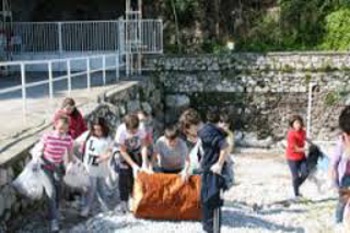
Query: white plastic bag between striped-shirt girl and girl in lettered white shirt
77	175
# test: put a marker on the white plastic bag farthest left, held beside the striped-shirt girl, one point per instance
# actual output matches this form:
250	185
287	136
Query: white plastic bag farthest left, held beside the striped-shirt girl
32	181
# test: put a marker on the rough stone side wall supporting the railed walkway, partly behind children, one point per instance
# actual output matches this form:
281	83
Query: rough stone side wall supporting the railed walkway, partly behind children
113	105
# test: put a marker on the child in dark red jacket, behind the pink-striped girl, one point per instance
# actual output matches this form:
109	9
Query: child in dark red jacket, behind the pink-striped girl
77	124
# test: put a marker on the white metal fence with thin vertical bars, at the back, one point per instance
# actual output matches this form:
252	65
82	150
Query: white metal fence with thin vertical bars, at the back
84	36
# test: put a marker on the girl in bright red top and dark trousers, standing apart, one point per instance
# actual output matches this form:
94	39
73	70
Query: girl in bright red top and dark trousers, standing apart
296	153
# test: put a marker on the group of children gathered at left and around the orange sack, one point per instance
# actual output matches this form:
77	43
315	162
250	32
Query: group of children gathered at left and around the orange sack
187	147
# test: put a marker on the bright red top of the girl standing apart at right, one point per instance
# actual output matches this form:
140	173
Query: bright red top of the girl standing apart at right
295	138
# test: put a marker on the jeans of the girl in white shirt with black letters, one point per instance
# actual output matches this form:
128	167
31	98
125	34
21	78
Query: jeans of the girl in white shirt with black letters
97	188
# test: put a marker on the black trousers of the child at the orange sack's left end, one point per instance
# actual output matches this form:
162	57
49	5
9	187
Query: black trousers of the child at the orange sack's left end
126	183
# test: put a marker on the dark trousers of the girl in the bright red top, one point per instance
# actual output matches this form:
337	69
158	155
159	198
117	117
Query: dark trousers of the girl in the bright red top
299	173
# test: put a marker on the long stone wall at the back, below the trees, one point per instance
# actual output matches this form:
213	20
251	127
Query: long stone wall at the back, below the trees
260	90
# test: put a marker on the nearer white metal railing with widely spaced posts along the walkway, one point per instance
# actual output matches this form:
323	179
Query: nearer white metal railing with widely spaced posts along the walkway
108	62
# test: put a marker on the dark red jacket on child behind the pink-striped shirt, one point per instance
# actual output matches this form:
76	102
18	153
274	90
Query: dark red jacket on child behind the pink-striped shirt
77	124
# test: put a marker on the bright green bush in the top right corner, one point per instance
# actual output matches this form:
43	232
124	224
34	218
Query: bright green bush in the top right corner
337	30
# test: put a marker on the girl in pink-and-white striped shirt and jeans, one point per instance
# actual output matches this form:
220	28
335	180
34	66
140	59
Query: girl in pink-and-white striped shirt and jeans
55	145
